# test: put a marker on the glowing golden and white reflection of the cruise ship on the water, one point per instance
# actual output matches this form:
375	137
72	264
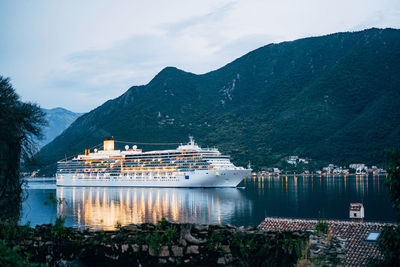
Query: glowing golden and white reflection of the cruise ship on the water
104	208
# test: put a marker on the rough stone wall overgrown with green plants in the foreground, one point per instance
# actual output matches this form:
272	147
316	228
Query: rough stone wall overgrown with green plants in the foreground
167	244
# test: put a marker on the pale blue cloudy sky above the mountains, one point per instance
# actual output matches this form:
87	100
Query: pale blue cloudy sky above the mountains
78	54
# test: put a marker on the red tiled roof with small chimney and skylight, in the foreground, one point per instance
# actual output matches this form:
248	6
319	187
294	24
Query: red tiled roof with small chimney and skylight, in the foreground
353	233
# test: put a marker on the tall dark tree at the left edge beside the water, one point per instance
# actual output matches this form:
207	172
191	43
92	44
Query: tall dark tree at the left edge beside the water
19	123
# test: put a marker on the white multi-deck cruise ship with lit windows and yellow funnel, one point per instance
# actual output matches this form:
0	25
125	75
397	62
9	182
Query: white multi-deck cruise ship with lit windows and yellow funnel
189	165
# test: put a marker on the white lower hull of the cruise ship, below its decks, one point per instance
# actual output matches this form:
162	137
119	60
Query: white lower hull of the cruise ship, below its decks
203	178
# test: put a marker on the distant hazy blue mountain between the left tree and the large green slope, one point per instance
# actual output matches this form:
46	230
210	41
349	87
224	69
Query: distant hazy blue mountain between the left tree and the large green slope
58	120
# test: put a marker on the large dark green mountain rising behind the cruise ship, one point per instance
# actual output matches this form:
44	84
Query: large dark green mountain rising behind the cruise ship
333	98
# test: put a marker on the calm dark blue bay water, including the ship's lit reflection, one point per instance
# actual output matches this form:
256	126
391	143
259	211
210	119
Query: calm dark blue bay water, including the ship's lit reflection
292	196
